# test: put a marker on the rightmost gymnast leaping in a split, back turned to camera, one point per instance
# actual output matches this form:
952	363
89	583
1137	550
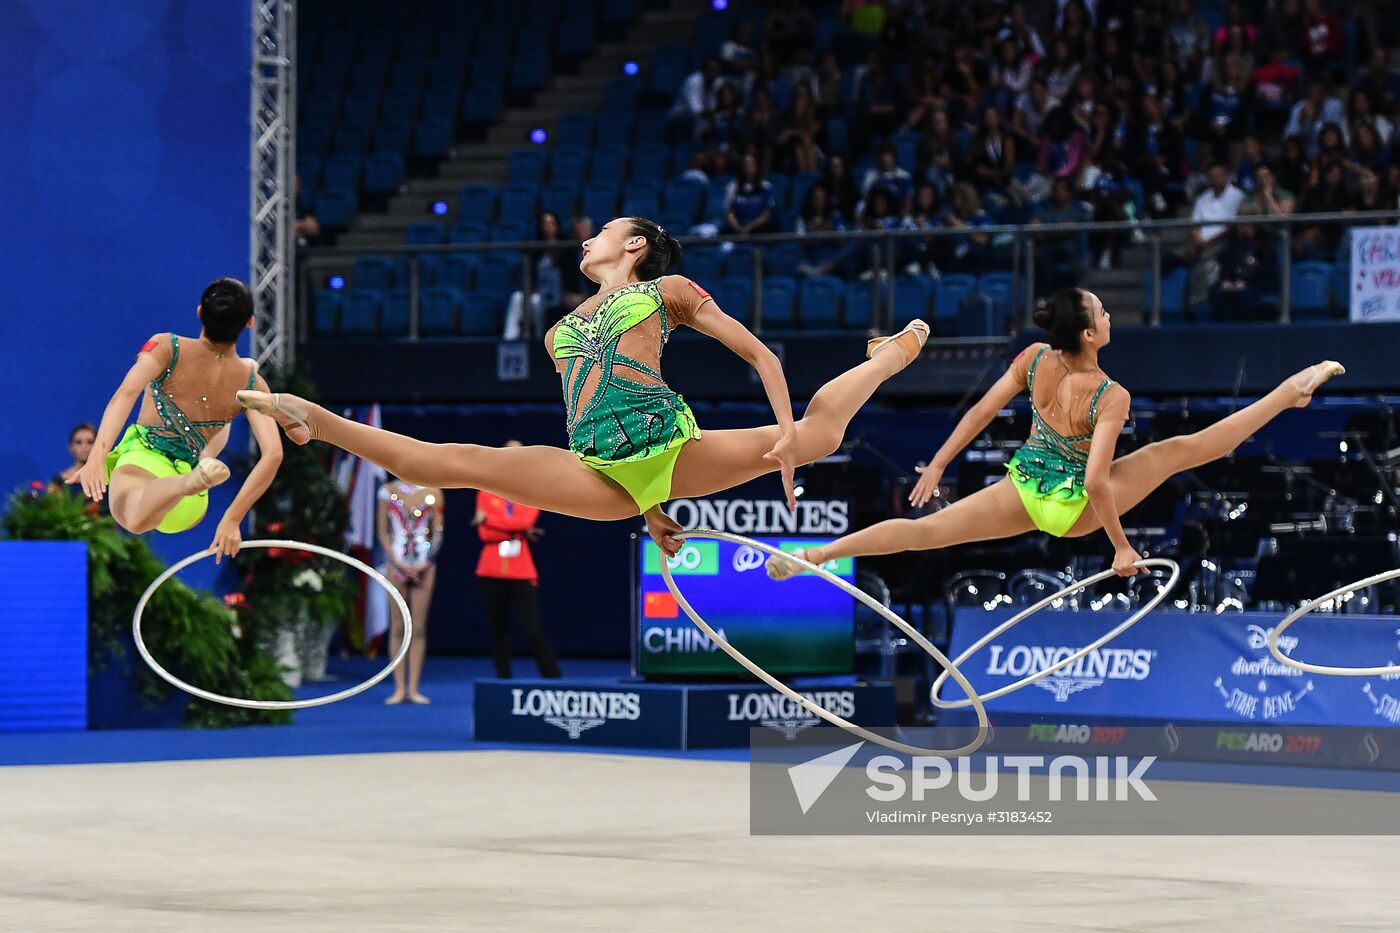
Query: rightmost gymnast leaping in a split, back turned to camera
1063	480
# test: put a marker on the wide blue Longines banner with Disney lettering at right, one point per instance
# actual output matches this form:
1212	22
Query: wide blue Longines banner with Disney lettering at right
1174	668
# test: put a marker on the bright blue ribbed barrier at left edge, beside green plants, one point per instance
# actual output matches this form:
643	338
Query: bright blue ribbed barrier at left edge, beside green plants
44	631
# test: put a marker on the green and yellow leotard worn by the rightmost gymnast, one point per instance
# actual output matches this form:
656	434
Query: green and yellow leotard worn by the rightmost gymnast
1049	470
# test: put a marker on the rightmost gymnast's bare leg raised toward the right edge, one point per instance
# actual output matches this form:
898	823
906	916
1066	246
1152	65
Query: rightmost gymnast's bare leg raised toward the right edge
1136	476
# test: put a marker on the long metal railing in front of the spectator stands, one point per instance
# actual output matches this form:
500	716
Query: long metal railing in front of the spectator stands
880	256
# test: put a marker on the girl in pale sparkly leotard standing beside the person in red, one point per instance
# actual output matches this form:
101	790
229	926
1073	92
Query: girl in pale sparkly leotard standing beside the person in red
411	533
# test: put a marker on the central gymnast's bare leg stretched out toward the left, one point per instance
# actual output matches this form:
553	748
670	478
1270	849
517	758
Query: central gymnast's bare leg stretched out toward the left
542	477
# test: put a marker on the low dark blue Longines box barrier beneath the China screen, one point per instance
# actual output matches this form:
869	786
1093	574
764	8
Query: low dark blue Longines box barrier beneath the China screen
671	717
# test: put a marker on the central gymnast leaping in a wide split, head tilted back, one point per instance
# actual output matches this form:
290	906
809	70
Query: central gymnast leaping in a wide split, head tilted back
633	443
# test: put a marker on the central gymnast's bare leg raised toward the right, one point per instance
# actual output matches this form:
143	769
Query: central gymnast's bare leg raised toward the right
723	460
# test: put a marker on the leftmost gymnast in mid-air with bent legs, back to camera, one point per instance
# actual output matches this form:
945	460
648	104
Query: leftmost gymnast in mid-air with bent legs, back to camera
160	474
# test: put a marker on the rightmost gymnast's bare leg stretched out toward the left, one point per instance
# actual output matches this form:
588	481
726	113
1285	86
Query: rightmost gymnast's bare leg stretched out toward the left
988	515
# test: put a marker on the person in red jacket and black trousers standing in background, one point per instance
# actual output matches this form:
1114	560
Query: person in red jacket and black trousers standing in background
507	578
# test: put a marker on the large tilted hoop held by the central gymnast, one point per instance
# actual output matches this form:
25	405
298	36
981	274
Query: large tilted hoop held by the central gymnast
793	696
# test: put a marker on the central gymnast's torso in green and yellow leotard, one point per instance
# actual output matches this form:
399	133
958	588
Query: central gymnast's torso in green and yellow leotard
624	420
